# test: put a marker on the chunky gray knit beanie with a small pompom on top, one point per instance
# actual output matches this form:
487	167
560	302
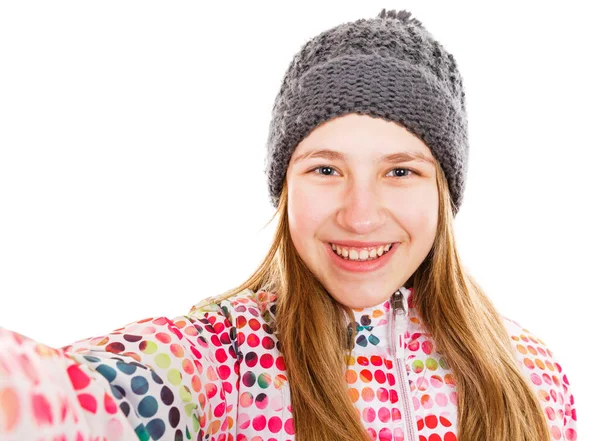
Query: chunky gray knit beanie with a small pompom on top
388	67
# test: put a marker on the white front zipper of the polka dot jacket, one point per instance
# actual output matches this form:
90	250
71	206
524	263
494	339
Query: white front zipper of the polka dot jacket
399	322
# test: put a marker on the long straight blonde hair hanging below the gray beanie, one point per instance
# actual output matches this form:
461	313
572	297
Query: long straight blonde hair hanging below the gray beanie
495	403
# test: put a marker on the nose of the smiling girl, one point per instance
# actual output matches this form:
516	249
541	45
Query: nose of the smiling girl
361	211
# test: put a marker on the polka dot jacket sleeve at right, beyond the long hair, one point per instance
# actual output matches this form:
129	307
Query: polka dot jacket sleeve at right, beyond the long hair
548	380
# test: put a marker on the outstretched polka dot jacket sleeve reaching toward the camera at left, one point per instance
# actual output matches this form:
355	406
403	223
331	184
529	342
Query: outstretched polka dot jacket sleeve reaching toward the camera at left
157	378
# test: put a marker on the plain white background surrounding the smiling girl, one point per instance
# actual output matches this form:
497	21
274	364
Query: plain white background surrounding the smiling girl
132	141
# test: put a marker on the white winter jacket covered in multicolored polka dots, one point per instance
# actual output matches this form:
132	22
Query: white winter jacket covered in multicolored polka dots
217	374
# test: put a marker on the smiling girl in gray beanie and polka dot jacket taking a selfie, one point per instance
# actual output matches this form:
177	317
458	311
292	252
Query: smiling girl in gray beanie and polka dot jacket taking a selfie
361	322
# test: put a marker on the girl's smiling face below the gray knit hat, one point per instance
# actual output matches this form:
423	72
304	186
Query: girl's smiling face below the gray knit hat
343	187
